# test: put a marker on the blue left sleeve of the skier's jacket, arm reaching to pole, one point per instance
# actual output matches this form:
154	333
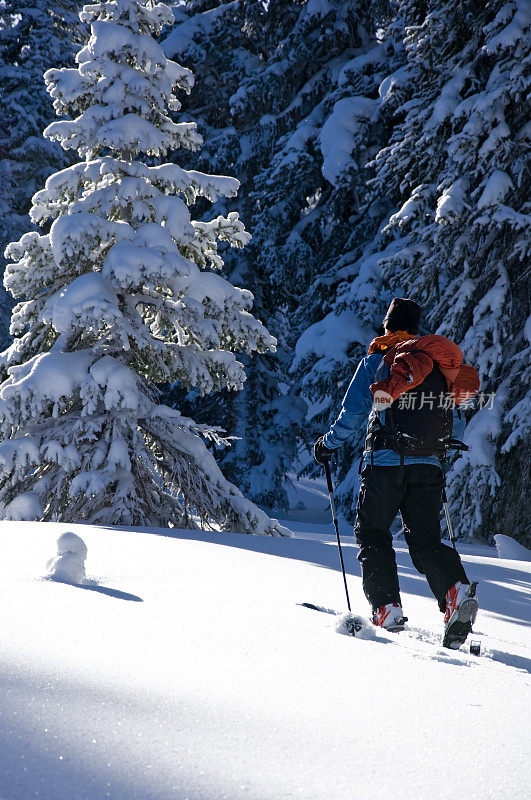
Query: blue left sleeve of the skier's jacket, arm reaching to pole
357	403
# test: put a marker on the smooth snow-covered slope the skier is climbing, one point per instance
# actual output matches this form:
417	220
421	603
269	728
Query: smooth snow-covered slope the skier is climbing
188	669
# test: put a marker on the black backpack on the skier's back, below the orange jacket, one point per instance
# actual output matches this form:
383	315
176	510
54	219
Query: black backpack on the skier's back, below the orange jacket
418	423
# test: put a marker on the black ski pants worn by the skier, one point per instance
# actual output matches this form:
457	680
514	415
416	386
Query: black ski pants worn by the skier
419	499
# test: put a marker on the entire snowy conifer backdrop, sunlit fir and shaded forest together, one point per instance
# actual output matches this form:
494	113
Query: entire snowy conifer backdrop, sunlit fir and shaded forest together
362	150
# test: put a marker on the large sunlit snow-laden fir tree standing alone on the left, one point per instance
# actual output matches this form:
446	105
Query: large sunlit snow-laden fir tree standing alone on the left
122	293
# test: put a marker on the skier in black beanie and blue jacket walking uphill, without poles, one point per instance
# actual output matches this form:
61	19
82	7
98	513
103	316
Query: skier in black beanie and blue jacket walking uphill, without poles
408	385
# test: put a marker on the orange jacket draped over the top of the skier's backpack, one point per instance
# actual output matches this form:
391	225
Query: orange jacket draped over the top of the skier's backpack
412	361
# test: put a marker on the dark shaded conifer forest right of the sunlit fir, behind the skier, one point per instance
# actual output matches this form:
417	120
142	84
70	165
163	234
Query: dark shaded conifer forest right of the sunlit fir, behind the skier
383	149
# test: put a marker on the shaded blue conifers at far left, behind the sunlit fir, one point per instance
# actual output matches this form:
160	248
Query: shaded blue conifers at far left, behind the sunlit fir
33	35
